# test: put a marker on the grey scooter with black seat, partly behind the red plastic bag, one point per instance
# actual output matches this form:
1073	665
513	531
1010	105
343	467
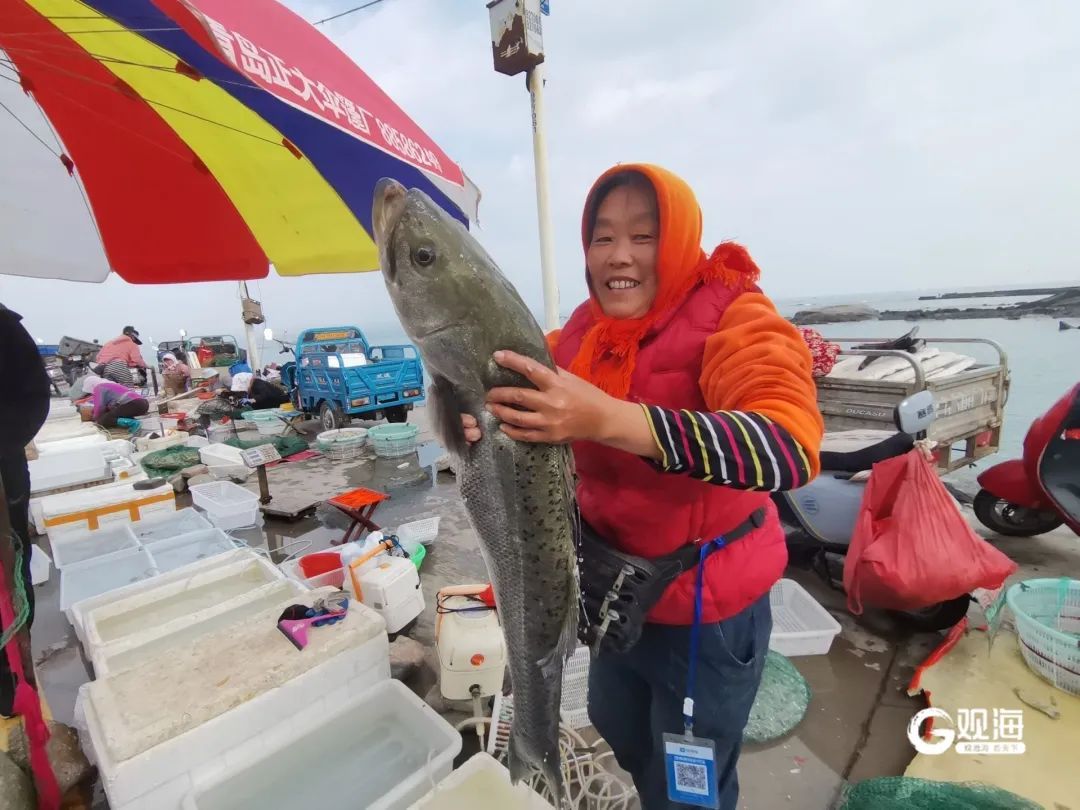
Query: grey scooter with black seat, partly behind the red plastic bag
820	518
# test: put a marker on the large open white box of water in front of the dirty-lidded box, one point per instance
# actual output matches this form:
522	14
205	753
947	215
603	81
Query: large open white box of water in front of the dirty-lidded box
380	750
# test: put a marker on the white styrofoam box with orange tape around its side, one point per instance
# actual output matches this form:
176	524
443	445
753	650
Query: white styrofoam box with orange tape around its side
103	506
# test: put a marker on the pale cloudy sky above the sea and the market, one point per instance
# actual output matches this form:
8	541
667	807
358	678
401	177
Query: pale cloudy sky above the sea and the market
852	147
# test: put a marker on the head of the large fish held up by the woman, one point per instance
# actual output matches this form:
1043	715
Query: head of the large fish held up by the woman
429	262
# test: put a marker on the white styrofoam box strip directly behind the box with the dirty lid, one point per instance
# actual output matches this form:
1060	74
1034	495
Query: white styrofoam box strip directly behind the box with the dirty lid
130	651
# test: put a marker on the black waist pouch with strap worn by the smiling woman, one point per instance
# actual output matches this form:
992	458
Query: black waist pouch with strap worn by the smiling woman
618	590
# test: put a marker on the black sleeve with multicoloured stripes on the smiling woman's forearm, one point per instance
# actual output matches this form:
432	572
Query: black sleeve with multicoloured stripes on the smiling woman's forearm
735	449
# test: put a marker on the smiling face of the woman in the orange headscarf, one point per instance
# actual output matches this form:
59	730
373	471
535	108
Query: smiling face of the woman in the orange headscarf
622	256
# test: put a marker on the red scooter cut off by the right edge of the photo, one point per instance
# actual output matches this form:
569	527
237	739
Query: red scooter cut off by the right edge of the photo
1042	491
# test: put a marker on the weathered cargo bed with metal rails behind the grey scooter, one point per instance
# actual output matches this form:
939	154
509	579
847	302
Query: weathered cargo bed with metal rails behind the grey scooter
969	407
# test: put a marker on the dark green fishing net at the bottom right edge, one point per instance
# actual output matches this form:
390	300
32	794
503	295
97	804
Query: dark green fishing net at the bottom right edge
908	793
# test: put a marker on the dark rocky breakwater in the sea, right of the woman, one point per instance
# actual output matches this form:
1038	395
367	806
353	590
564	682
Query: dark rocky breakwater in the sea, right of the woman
1062	304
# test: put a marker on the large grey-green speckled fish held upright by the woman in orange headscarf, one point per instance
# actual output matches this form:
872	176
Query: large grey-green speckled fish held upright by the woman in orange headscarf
458	309
